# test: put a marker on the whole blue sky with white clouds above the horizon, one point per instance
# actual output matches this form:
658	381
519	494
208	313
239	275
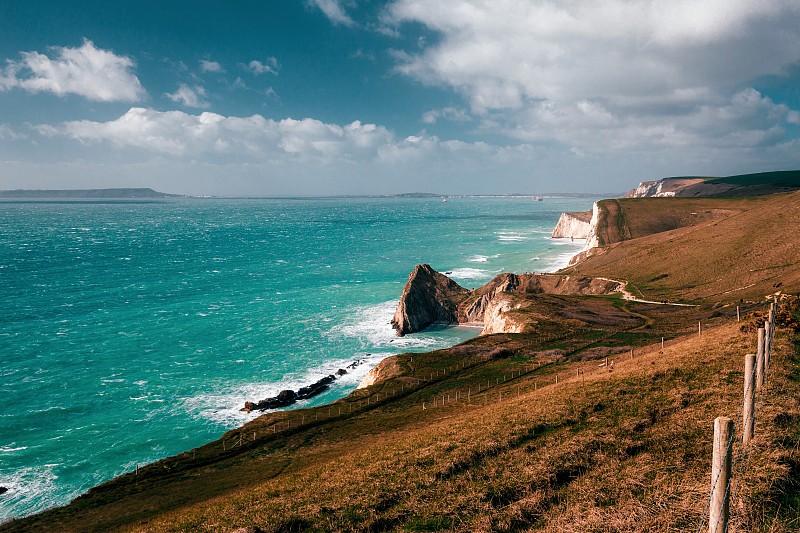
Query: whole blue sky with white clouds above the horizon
329	97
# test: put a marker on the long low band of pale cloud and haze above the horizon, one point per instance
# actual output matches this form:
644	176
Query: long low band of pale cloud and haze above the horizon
189	152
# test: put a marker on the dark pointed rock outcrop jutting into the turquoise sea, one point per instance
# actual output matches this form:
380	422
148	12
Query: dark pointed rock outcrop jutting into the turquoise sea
427	298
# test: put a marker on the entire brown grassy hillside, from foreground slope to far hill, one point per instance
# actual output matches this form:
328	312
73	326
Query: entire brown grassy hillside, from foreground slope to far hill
480	437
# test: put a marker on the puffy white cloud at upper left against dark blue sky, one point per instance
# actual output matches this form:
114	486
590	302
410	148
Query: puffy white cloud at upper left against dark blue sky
87	71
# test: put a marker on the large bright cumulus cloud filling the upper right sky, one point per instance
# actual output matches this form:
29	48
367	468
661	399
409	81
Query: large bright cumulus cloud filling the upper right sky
609	75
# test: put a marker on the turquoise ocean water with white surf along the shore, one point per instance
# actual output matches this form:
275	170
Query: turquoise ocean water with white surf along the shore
131	331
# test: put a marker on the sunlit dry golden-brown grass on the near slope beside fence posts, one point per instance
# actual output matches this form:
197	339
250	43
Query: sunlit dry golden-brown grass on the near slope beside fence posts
627	450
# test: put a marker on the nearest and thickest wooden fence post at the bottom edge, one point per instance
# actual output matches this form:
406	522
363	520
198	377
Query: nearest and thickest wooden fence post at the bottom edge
720	475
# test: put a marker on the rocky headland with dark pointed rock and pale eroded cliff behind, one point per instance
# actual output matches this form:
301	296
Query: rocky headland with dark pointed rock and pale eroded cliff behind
430	297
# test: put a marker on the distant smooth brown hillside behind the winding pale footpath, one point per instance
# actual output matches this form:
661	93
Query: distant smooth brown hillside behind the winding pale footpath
743	248
